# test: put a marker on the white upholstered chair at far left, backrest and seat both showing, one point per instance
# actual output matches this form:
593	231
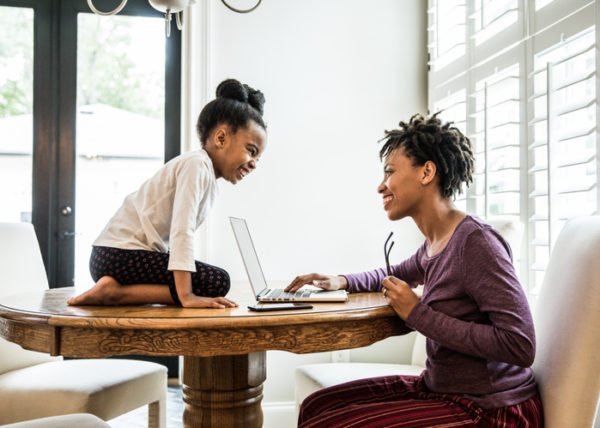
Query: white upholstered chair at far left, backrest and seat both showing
35	385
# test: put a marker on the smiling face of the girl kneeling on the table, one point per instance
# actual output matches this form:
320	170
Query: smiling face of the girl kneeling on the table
236	153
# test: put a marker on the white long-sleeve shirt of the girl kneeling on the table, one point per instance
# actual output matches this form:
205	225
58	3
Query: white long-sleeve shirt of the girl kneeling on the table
163	214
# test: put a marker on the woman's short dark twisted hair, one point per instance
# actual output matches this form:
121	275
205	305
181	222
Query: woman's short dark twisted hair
427	139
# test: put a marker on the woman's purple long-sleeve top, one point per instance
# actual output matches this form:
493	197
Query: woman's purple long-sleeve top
474	313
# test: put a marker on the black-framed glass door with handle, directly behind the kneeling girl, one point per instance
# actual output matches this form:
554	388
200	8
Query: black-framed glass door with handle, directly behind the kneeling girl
118	118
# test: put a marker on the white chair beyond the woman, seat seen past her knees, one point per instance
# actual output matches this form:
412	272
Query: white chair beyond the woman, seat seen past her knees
312	377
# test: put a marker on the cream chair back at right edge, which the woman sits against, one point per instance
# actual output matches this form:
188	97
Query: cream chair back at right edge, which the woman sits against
567	320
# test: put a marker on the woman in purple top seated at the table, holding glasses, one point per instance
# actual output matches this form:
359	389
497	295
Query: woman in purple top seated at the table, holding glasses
473	311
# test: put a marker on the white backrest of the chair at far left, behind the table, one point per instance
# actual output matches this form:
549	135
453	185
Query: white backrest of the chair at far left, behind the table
21	270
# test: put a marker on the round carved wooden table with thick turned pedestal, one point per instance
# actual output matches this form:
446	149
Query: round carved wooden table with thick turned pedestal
224	363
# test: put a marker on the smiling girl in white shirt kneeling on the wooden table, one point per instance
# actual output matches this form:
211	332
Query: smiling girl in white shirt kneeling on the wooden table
146	252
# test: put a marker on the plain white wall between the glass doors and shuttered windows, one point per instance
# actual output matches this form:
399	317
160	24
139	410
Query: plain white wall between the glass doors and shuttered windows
335	74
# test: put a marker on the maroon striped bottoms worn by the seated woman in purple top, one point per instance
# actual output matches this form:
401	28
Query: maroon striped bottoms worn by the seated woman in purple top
405	401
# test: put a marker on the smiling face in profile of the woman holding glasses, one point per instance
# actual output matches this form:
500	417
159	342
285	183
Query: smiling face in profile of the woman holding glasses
401	187
